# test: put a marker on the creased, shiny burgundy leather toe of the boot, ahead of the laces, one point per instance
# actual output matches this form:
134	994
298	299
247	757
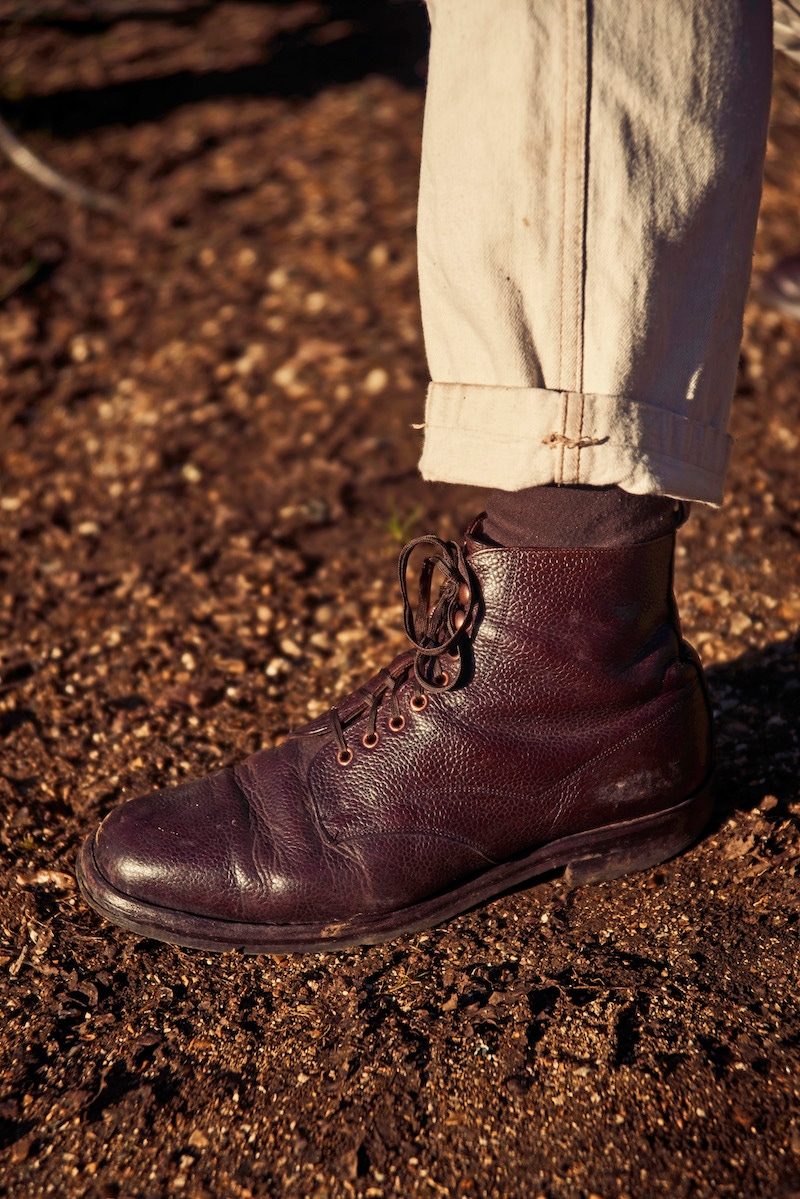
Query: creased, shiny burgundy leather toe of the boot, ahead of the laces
240	846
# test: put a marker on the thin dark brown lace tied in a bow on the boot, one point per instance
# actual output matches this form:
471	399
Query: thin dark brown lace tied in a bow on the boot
437	630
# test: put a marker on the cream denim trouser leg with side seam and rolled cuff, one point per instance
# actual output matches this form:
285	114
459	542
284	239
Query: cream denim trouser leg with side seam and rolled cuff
592	172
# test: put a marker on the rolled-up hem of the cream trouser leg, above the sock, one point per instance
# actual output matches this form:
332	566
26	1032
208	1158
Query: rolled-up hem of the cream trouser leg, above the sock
510	438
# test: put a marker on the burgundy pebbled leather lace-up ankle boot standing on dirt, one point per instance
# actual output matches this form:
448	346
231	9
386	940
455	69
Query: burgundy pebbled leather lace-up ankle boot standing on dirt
549	718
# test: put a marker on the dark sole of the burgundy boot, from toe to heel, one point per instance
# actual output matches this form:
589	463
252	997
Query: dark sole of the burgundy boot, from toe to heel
596	857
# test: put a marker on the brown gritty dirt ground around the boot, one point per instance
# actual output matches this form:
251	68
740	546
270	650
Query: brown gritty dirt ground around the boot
207	471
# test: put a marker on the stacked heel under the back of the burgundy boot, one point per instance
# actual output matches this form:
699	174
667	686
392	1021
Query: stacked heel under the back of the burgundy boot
641	845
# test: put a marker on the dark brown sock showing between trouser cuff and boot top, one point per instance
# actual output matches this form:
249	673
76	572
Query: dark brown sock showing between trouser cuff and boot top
579	516
